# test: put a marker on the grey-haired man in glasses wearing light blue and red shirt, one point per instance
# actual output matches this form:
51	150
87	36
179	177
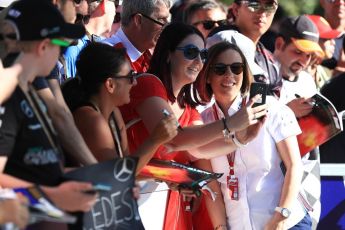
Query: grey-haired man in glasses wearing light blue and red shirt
142	21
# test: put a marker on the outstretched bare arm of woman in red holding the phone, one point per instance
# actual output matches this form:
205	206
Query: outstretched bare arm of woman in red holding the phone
150	112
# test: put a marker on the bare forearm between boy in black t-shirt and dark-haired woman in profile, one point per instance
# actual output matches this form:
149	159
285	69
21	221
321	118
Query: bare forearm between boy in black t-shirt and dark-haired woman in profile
63	121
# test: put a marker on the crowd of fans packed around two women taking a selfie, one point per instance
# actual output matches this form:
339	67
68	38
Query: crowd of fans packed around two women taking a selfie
84	81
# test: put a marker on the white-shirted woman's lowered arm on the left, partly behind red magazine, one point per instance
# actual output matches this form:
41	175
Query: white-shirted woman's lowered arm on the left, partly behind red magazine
216	209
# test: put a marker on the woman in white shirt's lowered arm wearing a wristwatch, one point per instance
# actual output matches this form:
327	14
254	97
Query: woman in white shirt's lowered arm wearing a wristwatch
289	152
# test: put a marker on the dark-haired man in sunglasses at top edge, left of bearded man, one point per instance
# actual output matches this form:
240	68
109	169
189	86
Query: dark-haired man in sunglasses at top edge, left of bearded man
253	18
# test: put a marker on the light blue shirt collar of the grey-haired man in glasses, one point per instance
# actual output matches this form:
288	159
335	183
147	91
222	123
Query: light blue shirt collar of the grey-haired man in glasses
120	37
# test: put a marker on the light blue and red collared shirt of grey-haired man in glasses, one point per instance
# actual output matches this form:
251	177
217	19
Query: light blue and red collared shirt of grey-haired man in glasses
139	61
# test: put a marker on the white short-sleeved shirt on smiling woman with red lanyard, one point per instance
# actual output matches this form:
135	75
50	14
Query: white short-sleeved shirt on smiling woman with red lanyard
257	167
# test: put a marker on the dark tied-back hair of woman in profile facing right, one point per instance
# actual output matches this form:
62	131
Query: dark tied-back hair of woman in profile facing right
95	63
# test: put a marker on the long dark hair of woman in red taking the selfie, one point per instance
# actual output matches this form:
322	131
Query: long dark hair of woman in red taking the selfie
169	39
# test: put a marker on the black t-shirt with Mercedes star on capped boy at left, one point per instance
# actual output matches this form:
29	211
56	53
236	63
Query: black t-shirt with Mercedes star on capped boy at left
31	157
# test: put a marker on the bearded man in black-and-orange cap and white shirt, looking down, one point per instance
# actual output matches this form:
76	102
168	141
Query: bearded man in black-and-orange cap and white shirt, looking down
296	43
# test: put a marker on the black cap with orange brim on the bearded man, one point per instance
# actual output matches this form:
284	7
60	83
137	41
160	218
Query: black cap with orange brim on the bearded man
303	33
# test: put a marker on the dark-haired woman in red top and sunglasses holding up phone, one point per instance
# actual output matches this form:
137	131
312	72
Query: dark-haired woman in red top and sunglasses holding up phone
177	60
